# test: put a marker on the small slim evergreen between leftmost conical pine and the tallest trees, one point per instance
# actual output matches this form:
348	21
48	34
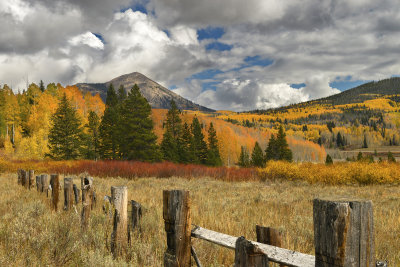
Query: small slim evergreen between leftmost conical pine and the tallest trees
92	138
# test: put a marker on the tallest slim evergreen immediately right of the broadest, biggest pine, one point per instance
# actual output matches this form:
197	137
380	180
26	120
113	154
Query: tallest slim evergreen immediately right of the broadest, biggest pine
171	143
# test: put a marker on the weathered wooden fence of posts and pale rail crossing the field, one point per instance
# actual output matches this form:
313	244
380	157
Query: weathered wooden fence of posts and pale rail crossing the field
343	229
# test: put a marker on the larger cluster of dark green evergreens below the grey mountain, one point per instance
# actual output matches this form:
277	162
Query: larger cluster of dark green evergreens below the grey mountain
125	132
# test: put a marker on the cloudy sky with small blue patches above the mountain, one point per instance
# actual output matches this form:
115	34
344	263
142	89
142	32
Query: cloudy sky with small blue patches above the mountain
226	54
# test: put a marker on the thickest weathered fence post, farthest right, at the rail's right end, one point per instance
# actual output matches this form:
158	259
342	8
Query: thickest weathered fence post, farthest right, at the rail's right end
344	233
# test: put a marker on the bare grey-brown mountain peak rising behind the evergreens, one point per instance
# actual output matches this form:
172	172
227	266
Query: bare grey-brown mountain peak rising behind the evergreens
158	96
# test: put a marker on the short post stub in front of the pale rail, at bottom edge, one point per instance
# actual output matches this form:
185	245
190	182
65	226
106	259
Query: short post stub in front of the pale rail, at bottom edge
248	254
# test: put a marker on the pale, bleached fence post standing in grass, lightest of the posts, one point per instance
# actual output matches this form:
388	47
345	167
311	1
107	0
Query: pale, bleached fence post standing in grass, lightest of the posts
119	236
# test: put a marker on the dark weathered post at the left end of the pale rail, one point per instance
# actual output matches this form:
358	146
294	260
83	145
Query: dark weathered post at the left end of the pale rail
176	214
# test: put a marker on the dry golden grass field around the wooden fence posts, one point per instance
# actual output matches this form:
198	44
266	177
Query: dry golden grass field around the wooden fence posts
31	234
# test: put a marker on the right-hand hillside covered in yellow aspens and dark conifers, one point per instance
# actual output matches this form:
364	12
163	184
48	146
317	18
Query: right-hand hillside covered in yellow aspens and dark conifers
366	116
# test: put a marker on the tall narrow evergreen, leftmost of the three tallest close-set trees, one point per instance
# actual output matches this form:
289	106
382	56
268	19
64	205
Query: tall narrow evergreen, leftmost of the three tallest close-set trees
109	127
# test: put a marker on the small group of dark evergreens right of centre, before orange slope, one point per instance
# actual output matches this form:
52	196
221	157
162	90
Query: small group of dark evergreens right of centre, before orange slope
277	149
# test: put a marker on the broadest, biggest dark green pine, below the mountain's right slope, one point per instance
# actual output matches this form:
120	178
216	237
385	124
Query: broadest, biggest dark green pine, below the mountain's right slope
139	140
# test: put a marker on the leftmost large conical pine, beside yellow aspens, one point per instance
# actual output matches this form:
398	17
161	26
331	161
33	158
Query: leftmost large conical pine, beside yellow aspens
66	132
